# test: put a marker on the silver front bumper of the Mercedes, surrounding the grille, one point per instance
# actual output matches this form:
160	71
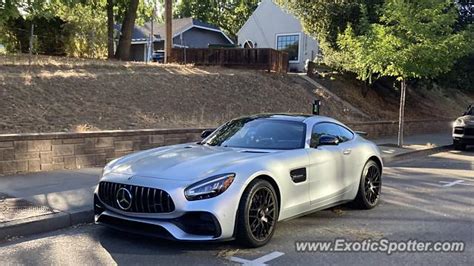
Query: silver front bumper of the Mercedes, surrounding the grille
203	220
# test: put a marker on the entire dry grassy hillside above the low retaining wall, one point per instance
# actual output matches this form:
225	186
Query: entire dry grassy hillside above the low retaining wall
60	94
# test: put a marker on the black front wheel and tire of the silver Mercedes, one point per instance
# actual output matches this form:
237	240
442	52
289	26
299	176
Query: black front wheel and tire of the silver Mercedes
257	214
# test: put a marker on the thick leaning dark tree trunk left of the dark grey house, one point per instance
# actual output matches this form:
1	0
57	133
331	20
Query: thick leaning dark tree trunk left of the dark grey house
125	41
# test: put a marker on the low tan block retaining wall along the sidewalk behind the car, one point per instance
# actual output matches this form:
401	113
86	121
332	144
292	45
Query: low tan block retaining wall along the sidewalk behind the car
54	151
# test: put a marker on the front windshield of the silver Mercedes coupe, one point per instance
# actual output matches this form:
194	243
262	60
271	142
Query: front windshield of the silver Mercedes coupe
259	133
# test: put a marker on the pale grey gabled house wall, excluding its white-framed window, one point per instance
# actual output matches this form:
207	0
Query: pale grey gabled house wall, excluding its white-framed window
268	21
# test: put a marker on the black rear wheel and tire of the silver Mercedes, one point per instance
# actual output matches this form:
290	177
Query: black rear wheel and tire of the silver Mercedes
369	197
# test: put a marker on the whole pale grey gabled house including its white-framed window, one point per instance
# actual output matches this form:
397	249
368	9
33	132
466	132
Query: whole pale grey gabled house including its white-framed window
270	26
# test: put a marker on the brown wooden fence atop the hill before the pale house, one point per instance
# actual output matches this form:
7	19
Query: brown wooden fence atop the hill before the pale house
260	58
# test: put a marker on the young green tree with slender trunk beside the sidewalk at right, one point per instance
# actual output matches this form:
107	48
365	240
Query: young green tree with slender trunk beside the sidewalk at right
414	39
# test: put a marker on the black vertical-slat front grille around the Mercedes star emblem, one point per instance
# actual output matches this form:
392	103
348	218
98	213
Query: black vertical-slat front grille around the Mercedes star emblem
144	199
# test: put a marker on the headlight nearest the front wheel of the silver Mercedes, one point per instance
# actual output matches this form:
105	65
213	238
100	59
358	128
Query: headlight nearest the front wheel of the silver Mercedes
209	187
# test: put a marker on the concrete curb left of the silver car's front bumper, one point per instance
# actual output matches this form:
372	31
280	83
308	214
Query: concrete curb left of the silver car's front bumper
44	223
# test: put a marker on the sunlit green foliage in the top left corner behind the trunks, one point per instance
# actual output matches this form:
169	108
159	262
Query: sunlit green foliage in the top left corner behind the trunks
72	27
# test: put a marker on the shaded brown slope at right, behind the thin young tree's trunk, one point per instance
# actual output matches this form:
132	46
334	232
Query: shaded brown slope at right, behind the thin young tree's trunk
383	103
